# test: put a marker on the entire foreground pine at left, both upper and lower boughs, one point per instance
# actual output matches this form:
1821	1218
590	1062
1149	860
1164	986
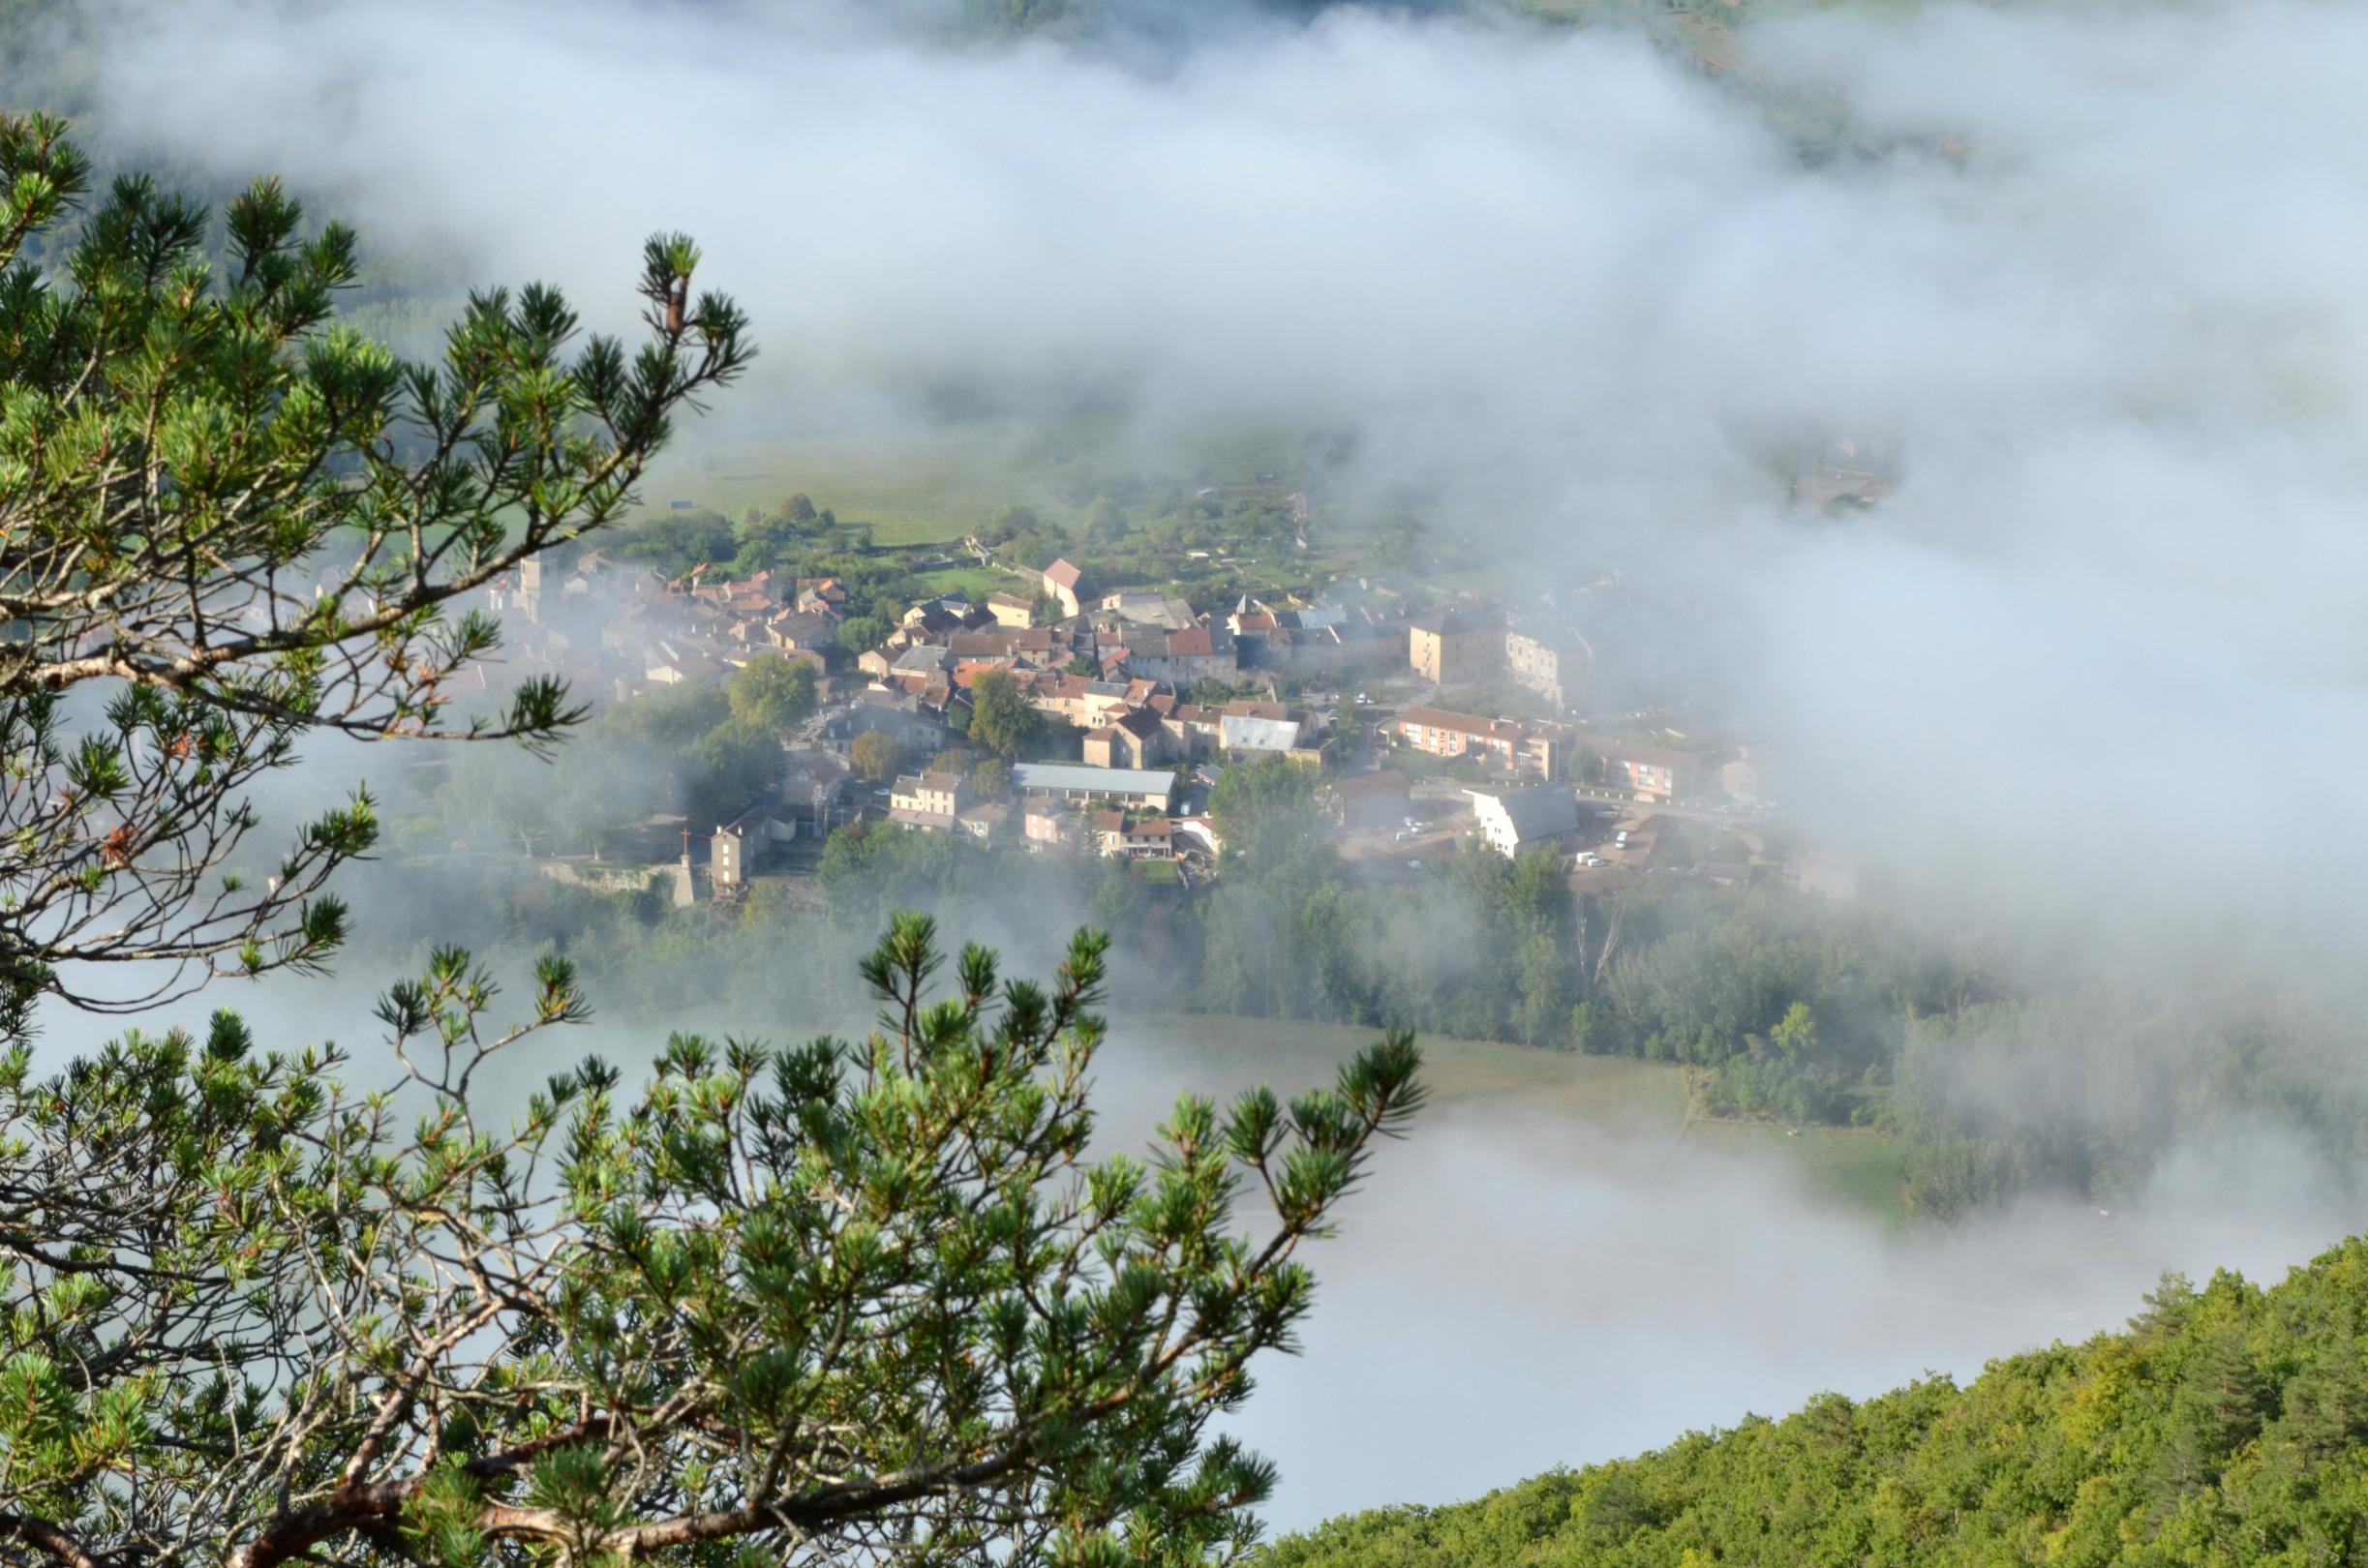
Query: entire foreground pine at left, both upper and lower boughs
821	1304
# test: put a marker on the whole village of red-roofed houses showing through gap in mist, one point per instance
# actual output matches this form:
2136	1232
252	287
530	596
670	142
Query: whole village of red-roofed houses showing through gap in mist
1138	705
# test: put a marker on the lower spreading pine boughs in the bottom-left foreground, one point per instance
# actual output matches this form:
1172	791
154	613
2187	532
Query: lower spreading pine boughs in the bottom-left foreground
823	1304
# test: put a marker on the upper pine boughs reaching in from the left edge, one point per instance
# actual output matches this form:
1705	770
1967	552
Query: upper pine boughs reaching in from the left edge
229	522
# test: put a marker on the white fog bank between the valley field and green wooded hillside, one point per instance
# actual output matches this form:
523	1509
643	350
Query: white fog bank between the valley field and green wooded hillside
1517	1294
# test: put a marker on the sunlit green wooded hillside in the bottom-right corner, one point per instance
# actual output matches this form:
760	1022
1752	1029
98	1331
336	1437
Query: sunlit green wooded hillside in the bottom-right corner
2225	1427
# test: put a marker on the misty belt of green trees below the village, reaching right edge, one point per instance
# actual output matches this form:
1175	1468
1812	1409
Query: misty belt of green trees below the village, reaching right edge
1995	1077
